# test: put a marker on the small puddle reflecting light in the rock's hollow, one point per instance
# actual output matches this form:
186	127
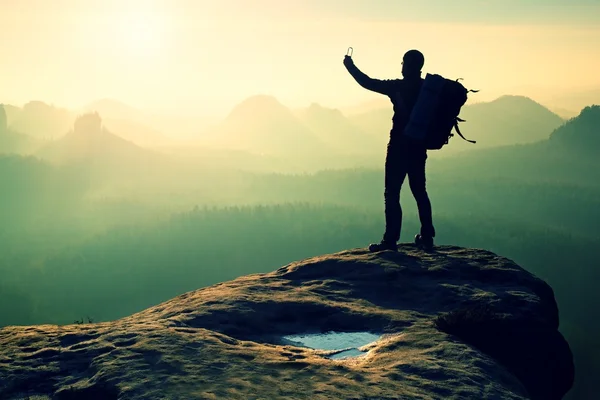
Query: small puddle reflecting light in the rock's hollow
344	344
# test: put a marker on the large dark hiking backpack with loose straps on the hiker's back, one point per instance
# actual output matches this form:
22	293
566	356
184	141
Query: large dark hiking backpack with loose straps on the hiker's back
436	111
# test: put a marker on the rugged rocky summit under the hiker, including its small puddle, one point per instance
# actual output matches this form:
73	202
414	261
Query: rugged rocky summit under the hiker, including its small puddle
453	323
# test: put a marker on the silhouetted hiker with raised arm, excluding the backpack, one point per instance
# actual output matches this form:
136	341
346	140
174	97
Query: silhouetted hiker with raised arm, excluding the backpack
405	156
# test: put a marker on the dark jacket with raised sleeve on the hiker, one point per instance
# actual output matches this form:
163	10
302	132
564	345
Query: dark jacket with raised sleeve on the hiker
403	94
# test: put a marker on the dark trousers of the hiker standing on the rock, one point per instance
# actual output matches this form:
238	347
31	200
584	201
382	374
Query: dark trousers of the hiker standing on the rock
400	162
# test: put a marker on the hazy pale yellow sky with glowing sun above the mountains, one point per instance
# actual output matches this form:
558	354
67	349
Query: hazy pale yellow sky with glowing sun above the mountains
204	56
